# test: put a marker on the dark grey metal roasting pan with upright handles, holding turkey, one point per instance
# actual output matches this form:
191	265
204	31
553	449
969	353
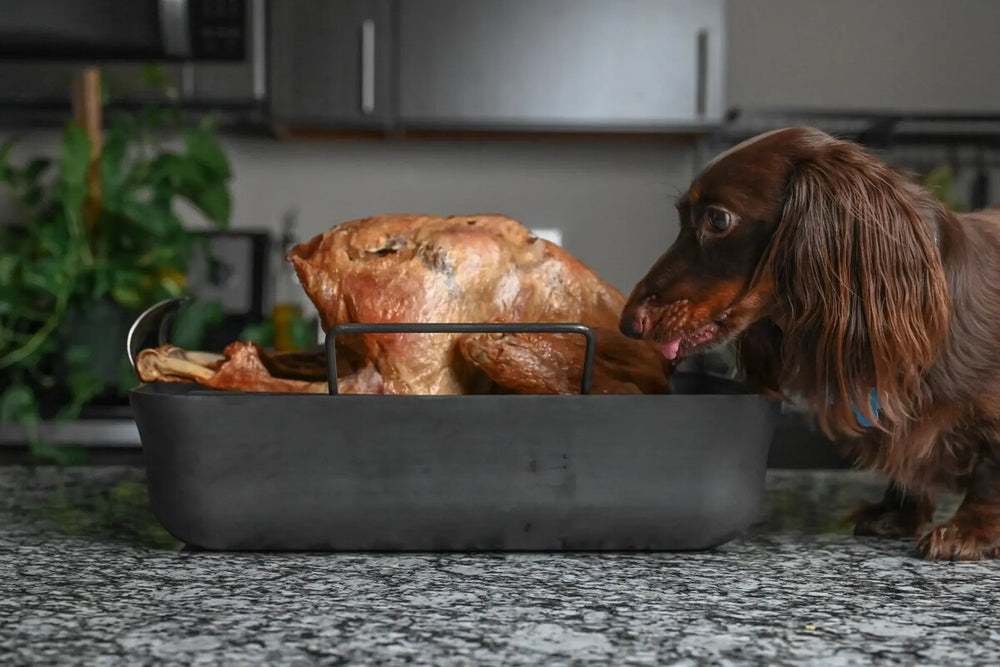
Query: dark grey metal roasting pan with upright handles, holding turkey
304	472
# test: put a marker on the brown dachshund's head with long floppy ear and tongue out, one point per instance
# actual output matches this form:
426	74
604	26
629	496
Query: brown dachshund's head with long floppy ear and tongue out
813	243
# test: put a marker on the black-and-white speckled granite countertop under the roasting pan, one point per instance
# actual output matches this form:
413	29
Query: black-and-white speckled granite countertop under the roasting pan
89	577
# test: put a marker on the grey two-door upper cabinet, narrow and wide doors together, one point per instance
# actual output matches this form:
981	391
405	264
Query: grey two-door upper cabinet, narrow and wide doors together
588	65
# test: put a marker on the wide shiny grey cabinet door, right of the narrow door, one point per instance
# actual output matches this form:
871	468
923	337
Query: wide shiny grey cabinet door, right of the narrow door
560	63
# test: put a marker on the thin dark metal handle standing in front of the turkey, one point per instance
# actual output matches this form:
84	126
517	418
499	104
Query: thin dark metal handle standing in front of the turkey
479	327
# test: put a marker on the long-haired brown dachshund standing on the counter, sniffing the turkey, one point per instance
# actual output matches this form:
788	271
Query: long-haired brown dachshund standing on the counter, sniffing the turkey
844	282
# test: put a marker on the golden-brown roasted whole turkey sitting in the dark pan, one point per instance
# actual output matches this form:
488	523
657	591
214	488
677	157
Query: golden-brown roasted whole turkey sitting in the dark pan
418	268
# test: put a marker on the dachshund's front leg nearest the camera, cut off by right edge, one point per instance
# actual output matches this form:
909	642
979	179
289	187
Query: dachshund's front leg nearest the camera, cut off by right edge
973	532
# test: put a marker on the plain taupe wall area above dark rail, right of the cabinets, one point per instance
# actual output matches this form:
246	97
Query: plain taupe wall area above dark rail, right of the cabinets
910	56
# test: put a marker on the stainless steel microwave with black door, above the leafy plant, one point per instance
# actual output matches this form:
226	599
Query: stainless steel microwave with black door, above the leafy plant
212	52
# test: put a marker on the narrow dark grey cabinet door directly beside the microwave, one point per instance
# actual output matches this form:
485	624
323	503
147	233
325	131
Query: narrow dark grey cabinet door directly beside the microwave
330	61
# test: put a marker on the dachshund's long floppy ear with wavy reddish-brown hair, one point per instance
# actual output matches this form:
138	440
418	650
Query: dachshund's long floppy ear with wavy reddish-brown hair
860	286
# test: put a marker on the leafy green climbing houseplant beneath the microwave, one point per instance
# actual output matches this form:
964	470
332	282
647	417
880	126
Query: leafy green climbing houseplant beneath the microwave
71	272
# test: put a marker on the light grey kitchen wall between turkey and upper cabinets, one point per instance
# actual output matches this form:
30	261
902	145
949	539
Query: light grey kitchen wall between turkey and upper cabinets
613	202
